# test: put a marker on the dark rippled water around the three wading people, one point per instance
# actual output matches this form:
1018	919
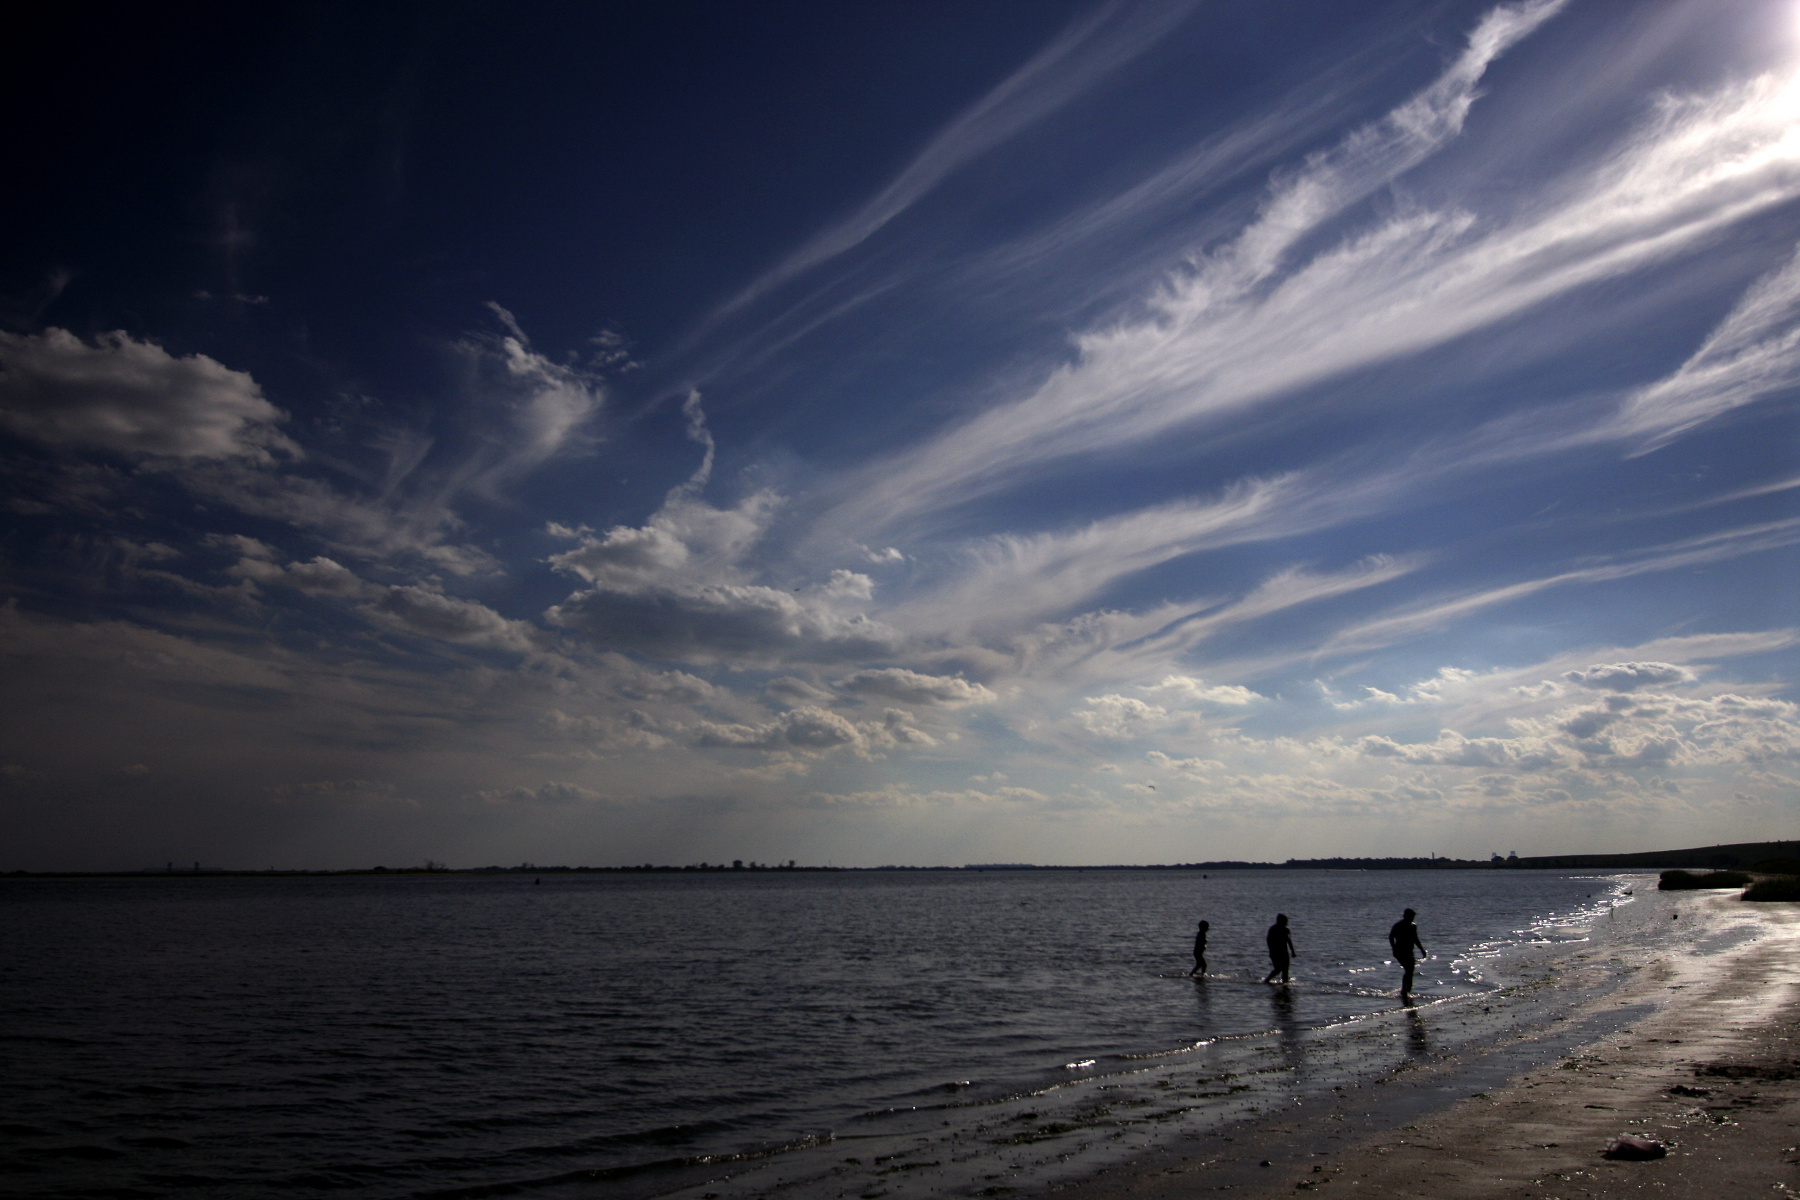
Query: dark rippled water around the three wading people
240	1037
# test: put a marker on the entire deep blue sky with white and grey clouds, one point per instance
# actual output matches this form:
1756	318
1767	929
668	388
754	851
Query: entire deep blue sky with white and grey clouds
1050	431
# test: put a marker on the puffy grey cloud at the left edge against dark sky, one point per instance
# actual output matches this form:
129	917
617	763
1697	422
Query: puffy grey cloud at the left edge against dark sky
132	399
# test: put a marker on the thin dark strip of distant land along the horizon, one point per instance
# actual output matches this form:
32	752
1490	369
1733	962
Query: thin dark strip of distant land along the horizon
1736	855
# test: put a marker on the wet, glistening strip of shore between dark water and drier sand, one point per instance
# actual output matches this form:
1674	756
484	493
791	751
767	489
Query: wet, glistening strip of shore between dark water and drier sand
1540	994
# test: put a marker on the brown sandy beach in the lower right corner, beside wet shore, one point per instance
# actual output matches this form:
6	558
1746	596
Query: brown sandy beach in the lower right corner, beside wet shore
1704	1057
